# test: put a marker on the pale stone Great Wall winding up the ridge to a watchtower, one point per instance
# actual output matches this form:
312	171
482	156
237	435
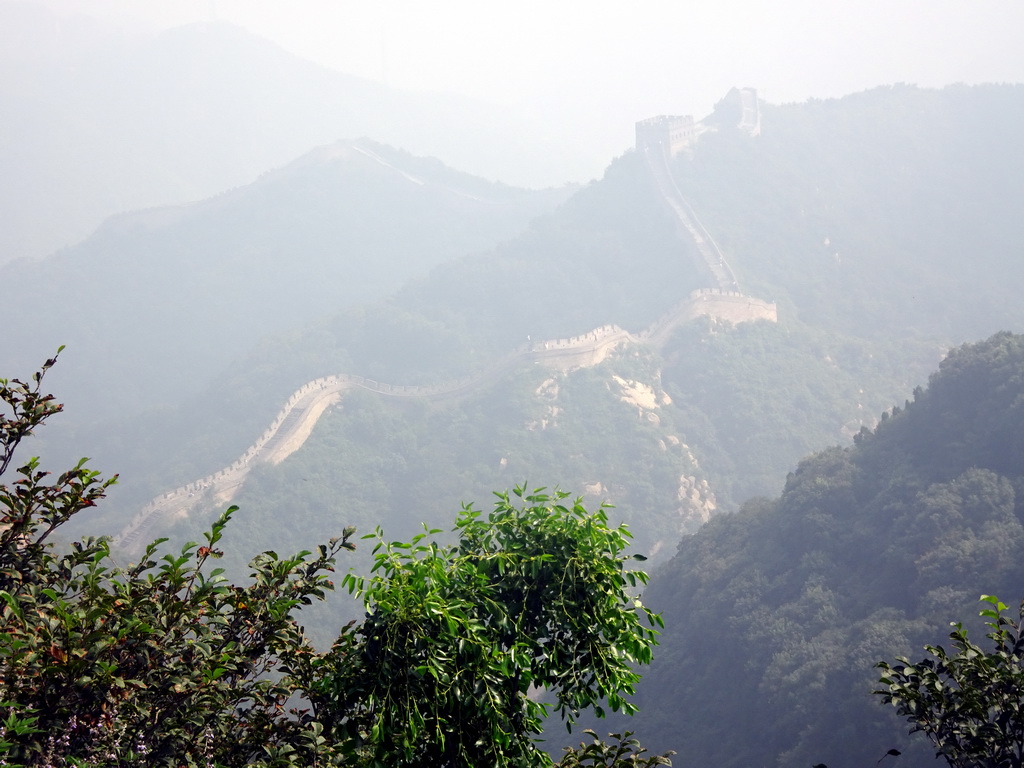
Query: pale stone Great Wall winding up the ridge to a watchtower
295	422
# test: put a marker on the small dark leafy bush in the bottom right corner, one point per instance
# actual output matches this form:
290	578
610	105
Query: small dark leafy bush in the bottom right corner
970	703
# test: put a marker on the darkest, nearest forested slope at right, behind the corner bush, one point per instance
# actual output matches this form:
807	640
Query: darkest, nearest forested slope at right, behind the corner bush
777	615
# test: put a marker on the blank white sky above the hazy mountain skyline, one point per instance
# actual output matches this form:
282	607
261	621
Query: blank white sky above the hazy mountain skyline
598	64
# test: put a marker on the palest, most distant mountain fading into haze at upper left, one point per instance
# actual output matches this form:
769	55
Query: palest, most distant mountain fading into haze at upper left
98	121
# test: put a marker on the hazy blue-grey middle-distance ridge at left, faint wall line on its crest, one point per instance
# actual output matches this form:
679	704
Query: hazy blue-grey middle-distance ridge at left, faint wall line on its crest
161	302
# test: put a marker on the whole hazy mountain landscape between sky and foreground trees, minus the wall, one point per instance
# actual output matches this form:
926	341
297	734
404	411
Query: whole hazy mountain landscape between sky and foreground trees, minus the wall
885	227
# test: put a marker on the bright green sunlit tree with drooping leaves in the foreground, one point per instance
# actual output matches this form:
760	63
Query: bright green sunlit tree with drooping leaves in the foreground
461	643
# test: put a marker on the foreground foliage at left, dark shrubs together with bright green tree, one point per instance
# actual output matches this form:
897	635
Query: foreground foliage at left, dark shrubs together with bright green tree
165	663
